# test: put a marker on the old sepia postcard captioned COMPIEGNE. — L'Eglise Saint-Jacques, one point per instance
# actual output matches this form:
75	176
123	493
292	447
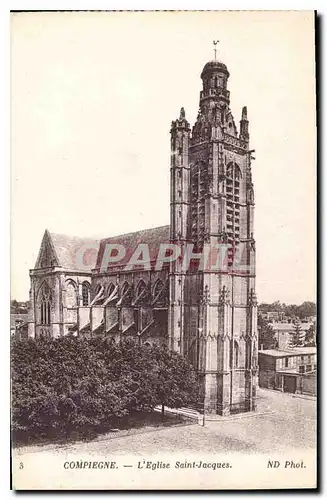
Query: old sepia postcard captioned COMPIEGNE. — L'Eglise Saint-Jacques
163	263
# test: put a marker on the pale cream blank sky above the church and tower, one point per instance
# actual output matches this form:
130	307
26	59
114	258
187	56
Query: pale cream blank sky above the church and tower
92	99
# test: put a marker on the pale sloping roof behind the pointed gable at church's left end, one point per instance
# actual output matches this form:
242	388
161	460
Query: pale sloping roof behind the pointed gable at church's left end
71	249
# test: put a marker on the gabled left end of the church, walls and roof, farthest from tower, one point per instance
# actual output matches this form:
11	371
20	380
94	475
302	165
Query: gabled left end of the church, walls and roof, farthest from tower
58	288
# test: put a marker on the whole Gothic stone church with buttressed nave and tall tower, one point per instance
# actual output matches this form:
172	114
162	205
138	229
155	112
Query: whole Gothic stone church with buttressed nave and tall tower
208	313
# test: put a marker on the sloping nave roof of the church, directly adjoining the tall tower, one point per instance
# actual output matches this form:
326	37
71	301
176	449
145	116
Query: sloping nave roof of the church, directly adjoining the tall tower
152	237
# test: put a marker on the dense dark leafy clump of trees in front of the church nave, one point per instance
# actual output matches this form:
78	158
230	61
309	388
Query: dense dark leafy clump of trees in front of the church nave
72	384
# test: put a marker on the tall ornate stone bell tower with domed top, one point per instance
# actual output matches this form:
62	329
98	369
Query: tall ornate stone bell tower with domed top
219	331
